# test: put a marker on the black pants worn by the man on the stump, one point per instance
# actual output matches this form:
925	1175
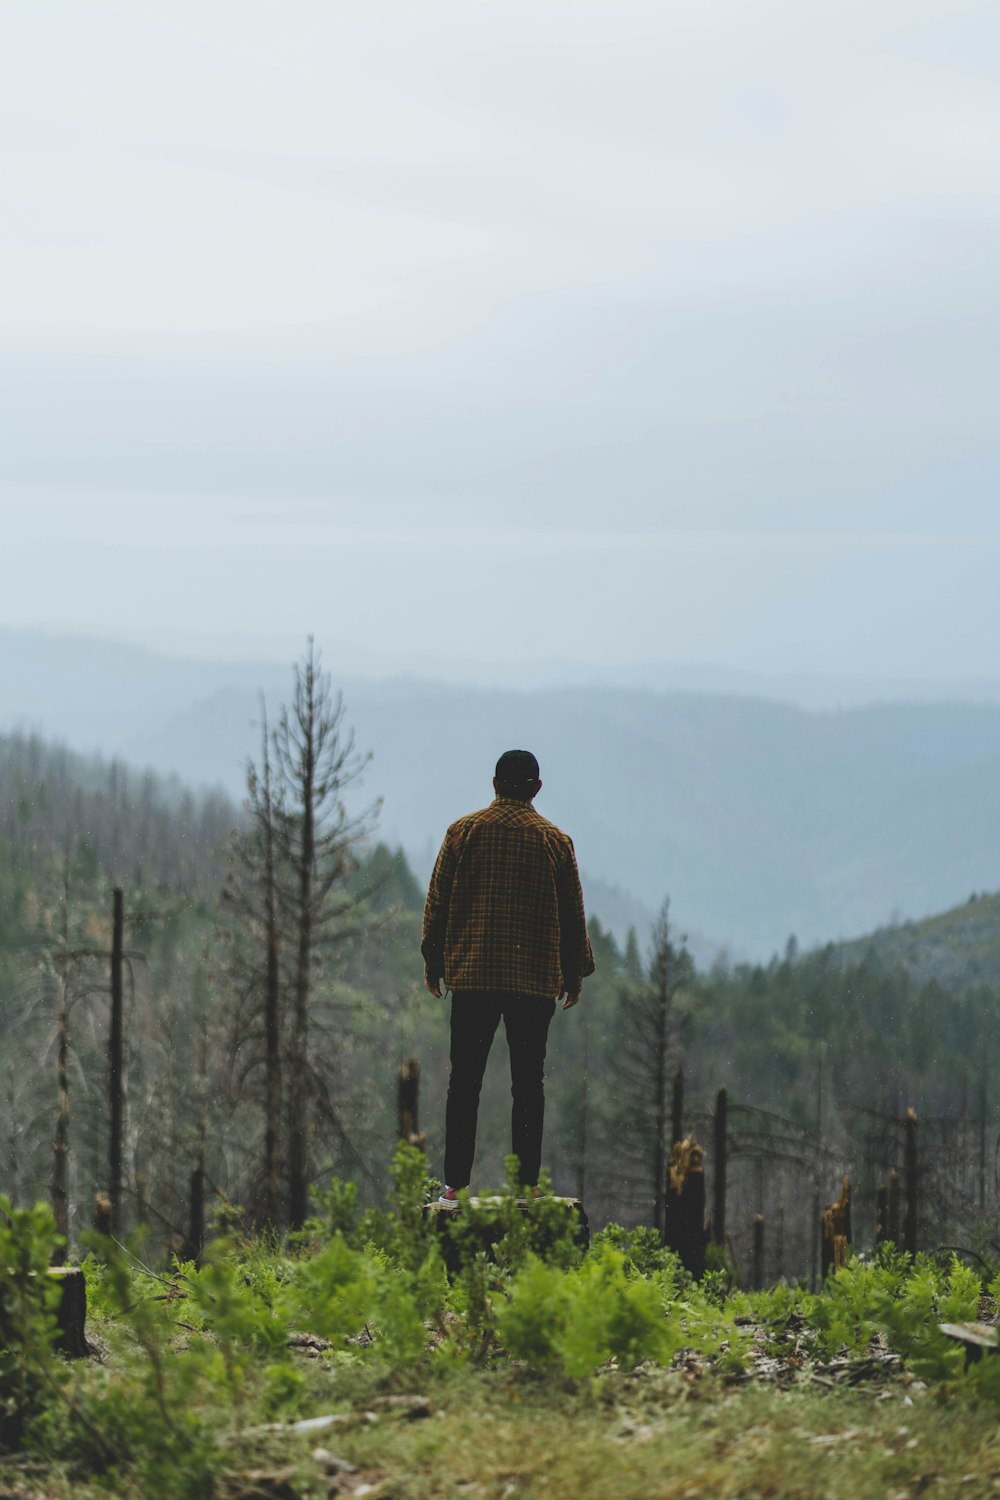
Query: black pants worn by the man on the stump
475	1021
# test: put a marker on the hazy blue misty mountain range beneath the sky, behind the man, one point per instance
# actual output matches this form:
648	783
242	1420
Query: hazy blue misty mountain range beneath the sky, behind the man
758	818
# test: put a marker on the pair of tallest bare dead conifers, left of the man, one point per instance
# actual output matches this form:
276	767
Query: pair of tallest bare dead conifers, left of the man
289	892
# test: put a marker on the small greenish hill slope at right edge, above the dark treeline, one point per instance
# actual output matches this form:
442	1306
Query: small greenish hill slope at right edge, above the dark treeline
957	949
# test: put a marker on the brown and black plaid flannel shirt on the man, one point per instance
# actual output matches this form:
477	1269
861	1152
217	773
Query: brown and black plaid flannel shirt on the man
504	908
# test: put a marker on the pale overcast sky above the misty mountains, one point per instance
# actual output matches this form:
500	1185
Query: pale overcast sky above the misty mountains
599	332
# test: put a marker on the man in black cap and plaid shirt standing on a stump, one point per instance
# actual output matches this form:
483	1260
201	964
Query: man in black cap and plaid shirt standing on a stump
506	932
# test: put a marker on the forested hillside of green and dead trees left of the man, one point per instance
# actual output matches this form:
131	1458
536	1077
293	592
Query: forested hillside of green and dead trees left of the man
190	961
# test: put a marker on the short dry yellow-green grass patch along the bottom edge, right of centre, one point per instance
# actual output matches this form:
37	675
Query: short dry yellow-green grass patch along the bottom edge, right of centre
663	1436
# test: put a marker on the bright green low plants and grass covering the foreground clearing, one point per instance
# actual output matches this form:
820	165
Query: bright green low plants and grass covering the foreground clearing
485	1352
